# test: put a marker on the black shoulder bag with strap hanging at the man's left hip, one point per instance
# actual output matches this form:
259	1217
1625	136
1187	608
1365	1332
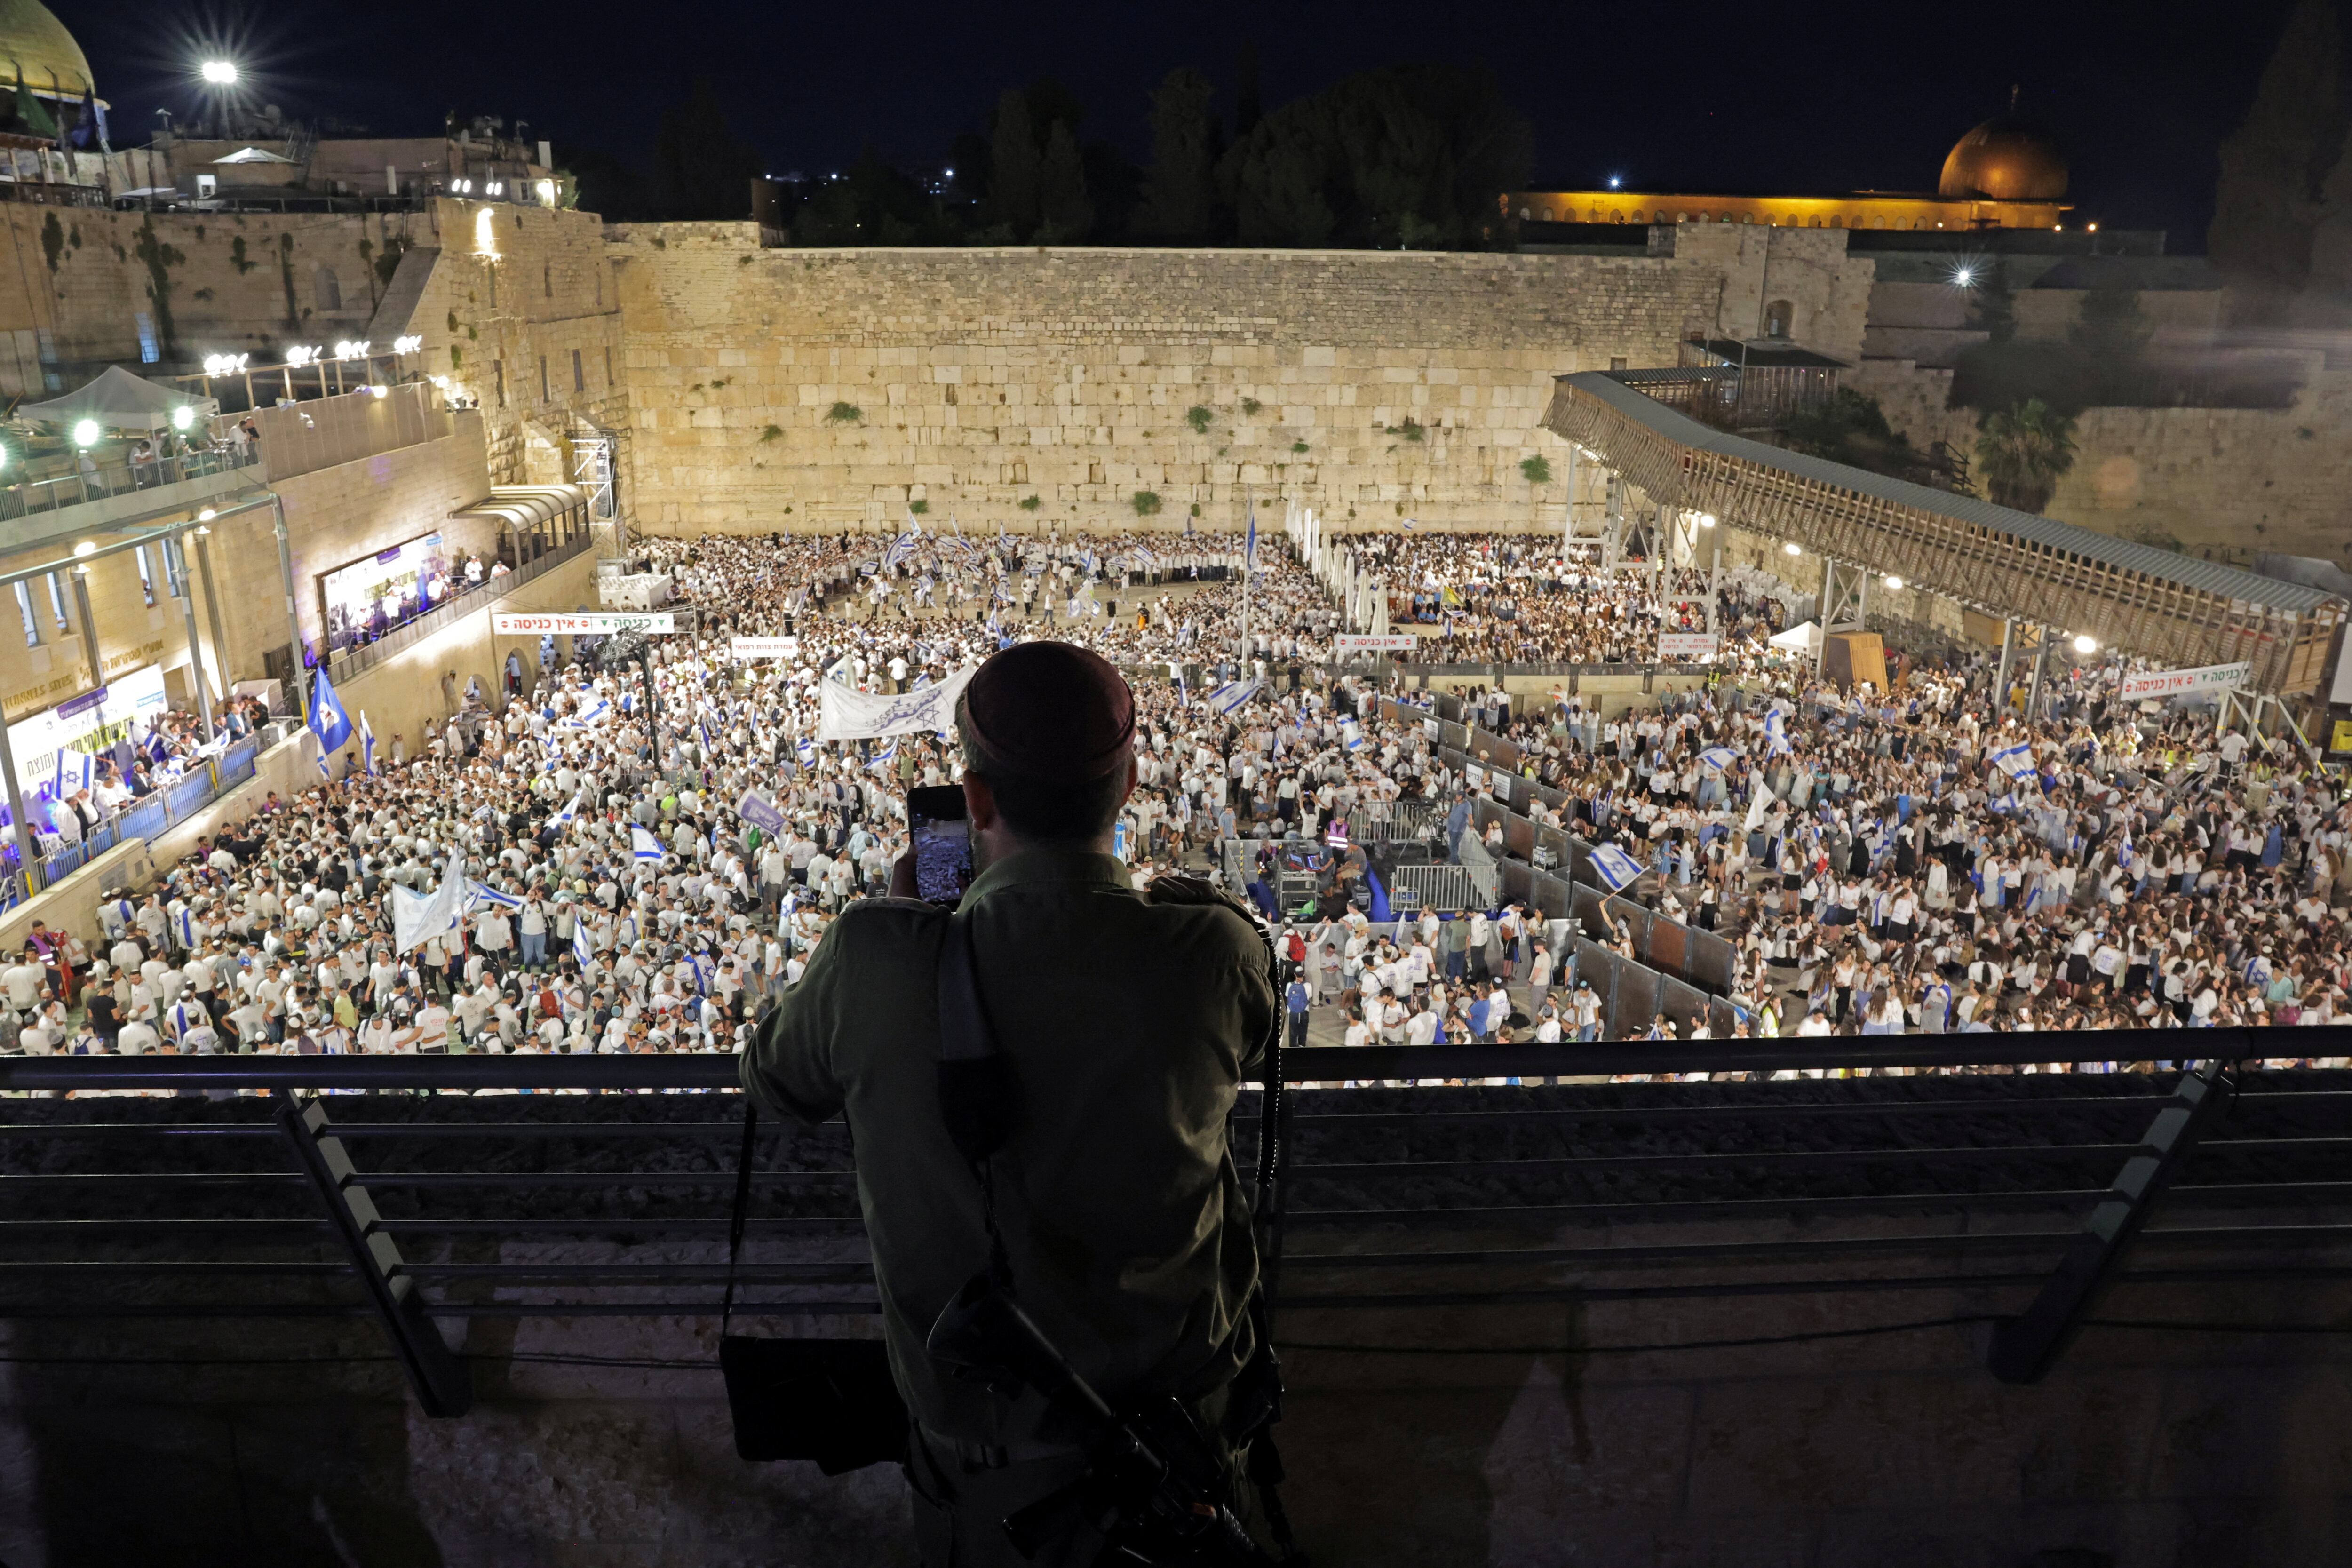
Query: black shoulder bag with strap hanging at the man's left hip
831	1402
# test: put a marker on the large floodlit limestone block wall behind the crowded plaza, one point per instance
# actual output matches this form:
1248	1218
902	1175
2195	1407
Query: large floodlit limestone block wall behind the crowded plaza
791	389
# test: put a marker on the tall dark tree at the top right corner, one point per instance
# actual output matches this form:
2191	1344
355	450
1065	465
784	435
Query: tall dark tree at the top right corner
2273	166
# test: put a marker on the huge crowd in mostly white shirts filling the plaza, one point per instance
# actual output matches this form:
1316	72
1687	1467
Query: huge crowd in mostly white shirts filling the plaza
653	838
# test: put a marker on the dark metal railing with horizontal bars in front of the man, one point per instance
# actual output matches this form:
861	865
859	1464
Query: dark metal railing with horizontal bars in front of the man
2022	1188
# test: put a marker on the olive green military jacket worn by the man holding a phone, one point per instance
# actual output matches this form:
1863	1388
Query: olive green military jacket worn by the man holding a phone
1130	1021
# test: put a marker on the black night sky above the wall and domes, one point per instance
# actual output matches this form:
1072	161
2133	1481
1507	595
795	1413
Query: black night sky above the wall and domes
1673	98
